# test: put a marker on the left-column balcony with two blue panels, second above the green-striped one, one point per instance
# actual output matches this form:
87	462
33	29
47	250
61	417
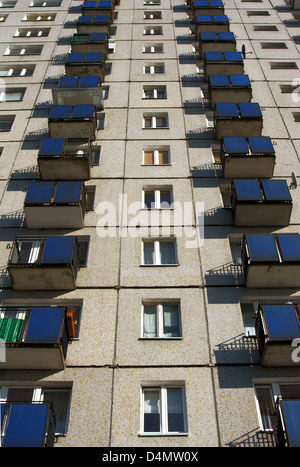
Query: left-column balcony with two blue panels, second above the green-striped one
55	205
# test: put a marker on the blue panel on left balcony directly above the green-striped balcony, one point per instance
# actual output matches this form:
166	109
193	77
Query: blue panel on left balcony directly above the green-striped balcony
58	250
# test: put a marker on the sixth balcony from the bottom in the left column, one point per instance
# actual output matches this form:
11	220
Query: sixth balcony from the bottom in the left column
73	121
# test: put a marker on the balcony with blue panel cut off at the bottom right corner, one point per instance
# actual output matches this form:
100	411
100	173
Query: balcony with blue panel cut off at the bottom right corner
286	423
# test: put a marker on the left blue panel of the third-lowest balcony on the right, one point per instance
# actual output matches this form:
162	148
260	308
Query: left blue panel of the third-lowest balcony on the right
262	247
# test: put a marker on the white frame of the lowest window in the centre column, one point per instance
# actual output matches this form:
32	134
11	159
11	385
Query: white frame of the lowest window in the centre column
163	388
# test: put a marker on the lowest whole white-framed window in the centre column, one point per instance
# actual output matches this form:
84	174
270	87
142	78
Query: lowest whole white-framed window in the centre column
163	410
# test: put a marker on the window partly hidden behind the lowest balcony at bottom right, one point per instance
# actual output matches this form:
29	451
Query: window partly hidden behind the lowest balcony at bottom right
265	399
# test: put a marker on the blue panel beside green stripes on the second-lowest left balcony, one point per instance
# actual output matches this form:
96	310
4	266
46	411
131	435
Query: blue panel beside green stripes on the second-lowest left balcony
44	325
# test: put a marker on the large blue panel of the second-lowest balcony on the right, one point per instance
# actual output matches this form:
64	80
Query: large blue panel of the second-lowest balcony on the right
282	323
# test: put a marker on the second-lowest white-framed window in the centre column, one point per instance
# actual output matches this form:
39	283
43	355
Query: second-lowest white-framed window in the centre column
161	320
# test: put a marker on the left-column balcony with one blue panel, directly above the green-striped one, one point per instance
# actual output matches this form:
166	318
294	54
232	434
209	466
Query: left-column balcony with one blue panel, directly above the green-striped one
44	263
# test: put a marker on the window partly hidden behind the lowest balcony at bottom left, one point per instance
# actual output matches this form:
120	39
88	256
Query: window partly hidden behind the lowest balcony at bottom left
60	398
